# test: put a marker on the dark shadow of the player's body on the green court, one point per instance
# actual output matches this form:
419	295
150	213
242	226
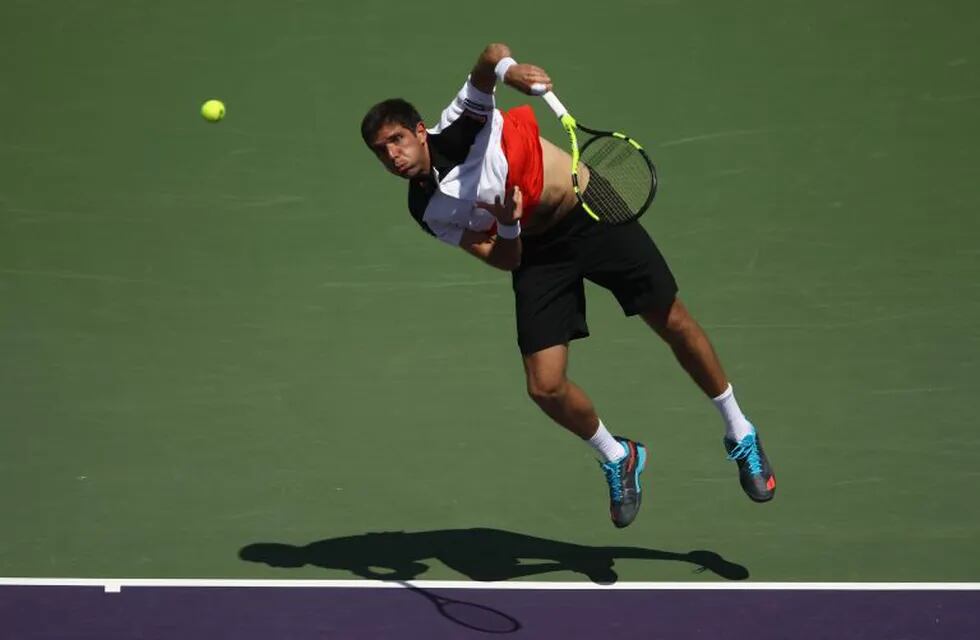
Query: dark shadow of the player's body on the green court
479	554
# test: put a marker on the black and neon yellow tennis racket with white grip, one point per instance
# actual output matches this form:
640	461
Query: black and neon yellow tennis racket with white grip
622	180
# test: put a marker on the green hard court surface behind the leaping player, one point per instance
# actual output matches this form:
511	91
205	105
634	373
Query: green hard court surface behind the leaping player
219	335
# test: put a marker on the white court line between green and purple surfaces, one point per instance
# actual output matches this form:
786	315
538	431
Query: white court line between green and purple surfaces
114	585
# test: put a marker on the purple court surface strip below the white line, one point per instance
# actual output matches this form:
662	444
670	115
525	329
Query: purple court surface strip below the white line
60	612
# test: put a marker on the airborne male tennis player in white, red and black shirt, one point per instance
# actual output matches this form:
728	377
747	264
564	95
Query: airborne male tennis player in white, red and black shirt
485	181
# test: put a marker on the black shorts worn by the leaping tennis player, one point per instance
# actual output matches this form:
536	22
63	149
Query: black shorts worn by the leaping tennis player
549	286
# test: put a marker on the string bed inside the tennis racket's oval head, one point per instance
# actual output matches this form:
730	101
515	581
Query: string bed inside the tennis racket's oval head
621	179
